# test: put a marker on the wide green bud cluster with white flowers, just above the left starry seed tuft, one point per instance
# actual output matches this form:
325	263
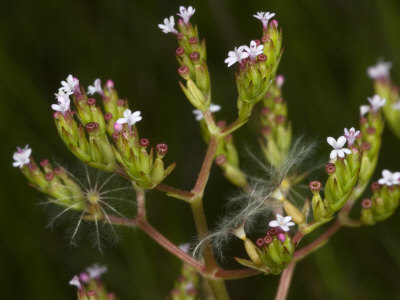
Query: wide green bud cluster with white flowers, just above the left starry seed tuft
87	131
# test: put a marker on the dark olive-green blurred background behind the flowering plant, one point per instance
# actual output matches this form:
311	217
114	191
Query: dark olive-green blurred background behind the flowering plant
328	46
